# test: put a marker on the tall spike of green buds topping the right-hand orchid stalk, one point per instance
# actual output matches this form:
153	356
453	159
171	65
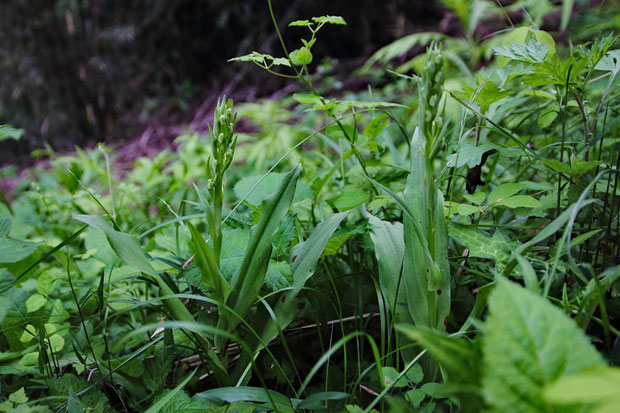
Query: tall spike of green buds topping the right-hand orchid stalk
431	90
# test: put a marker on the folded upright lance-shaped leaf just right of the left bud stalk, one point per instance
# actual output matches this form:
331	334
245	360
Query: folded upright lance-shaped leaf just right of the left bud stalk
248	279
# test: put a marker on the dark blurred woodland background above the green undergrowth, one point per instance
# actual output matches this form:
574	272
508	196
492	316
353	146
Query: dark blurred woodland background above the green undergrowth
74	72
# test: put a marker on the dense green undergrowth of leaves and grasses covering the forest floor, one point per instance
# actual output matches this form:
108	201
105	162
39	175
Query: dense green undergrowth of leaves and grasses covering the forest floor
447	241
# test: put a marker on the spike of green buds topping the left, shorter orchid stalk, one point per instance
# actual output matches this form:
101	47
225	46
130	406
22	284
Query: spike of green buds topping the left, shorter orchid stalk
223	142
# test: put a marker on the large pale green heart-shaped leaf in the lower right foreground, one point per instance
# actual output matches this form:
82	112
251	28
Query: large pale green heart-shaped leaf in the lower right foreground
528	343
